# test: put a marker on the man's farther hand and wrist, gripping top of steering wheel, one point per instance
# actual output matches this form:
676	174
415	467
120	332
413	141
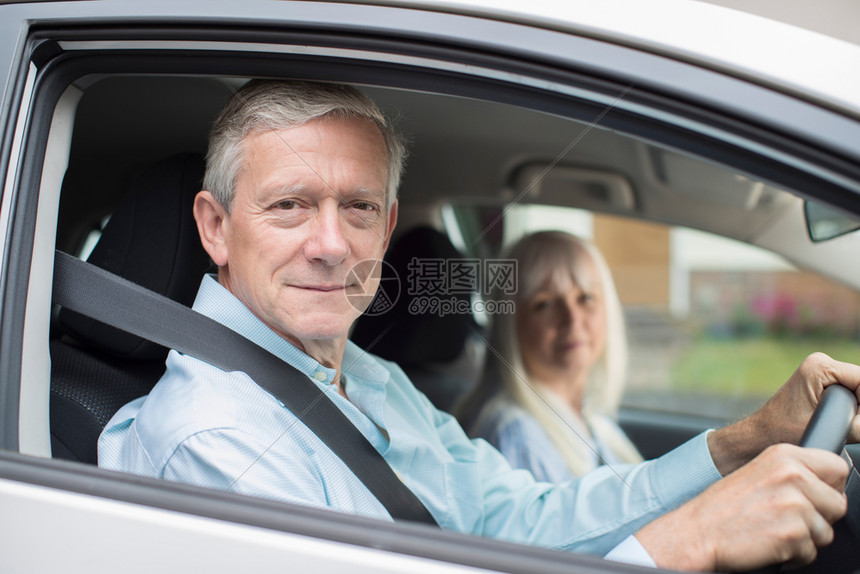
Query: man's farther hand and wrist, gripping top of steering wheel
784	417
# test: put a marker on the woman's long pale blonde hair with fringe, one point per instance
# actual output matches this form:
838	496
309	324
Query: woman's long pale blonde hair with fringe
557	256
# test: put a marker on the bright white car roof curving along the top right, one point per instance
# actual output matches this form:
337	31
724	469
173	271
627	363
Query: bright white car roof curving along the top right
807	64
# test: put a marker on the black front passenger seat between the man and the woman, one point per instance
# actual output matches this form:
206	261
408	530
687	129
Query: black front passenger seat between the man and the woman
433	349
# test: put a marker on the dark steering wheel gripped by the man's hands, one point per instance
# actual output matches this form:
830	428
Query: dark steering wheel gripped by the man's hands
828	429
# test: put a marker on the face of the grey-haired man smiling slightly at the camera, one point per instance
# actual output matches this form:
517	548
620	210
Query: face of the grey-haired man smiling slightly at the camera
310	204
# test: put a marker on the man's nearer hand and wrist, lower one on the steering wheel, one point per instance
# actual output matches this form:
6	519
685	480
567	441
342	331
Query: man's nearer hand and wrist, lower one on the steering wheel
778	508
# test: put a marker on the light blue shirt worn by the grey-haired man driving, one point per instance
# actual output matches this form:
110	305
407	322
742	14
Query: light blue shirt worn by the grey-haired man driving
218	429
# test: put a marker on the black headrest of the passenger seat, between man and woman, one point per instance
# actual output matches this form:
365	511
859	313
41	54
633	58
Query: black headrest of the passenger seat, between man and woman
415	338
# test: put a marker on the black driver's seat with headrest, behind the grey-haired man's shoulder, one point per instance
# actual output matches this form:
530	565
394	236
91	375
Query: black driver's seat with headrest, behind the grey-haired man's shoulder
152	240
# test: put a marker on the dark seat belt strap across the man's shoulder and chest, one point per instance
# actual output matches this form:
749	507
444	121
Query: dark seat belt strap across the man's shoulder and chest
108	298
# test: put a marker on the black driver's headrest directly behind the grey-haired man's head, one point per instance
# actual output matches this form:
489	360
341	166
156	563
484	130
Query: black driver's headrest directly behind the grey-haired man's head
151	240
